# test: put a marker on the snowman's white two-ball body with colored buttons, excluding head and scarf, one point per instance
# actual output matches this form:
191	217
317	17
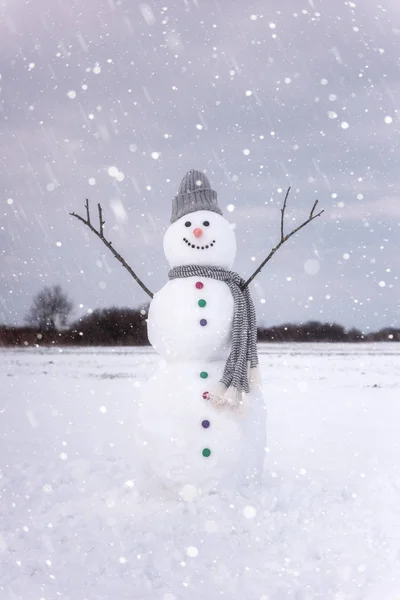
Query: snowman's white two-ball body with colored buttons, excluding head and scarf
183	439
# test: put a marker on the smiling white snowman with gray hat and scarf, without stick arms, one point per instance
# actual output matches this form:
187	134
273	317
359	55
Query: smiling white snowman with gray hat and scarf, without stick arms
201	419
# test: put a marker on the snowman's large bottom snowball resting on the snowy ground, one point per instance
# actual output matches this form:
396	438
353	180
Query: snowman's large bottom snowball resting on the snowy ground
183	440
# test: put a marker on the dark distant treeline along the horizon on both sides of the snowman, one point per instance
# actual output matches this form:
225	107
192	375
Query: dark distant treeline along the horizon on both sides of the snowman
127	327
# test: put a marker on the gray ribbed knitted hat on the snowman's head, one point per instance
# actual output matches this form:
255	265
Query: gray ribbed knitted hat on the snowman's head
194	193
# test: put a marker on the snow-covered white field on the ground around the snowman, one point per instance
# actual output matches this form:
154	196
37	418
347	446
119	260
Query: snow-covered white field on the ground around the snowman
326	524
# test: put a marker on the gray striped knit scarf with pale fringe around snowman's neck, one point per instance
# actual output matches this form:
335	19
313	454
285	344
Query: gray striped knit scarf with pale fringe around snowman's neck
242	362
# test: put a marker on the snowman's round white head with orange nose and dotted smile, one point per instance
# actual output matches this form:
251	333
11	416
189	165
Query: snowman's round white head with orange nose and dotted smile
201	238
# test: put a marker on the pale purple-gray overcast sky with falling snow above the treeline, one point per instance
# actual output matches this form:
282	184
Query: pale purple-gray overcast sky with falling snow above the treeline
116	100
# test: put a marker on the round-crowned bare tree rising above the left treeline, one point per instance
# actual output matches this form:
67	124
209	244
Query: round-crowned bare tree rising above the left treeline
50	309
